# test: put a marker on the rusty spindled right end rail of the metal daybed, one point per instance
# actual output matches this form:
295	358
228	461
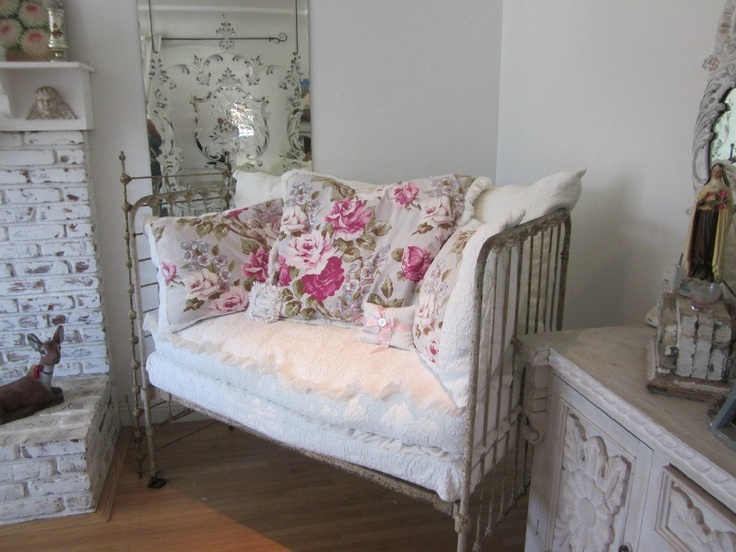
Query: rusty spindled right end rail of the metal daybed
533	260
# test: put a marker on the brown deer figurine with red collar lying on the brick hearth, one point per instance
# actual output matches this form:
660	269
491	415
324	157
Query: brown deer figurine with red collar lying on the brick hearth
33	392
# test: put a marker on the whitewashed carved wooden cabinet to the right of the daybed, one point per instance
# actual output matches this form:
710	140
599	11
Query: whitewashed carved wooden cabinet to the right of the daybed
618	468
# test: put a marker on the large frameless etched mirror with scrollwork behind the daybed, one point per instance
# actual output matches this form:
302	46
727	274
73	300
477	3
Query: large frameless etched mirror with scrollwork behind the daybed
226	84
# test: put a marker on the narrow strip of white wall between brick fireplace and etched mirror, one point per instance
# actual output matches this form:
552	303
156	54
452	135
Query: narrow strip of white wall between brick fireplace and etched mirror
105	34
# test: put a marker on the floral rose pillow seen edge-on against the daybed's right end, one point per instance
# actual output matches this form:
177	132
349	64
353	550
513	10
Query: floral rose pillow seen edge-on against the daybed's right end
435	292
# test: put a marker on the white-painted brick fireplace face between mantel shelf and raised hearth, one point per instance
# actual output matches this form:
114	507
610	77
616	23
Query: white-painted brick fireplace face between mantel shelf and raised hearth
49	272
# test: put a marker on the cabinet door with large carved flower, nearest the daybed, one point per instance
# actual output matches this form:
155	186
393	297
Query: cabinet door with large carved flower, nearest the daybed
596	478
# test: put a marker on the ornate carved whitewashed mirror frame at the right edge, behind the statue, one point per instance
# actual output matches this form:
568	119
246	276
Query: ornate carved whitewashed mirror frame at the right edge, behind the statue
721	66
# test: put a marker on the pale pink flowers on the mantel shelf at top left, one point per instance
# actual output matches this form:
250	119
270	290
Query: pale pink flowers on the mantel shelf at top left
24	30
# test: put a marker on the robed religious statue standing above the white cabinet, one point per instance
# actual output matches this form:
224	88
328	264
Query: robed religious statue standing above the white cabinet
709	225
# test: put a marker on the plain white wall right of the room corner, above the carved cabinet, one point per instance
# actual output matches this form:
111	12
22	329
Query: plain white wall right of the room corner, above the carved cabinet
614	87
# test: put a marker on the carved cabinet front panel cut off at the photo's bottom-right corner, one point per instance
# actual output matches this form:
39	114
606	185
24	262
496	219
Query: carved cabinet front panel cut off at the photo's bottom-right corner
689	519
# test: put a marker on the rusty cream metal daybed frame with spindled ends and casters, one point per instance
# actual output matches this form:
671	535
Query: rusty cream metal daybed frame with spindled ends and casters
520	288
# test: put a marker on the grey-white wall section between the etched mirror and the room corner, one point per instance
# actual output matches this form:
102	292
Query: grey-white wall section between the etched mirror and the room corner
403	89
